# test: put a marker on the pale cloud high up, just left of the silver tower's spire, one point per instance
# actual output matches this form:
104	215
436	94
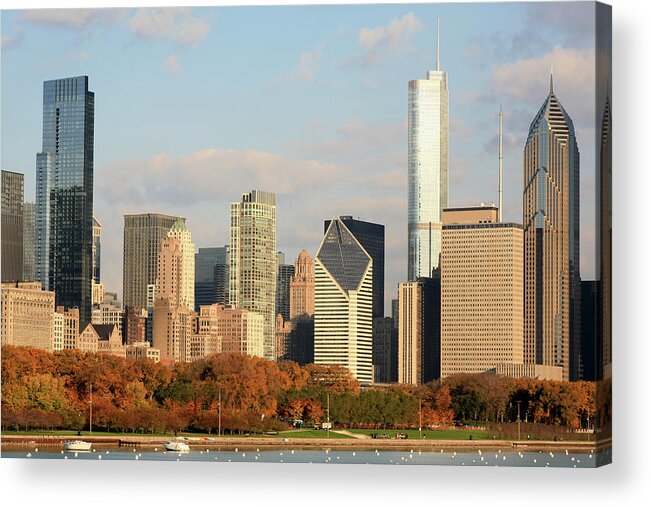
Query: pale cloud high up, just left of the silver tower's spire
381	41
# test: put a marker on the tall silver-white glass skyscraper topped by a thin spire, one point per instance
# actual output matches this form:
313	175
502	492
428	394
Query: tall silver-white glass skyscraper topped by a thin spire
427	119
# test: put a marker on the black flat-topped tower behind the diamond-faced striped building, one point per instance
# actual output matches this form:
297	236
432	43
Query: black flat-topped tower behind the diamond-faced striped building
371	237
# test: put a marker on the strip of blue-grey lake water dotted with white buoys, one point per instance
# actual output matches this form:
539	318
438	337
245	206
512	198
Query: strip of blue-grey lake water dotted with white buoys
333	456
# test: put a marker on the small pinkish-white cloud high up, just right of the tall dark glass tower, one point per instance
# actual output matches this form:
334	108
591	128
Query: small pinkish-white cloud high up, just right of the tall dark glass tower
178	24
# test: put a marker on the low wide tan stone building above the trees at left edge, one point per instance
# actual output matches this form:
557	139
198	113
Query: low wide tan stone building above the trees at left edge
27	315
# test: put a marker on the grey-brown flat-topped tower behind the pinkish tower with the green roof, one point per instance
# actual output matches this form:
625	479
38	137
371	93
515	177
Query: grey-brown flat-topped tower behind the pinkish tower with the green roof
142	237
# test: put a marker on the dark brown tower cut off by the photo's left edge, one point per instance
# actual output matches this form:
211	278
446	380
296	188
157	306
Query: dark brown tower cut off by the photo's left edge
12	226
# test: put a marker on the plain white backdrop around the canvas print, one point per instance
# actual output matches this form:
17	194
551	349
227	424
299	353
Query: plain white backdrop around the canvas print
626	481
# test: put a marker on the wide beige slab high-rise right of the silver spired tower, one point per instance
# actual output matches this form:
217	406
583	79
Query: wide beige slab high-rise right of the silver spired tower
481	292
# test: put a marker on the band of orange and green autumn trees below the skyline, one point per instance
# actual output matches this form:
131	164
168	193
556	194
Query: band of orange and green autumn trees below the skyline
245	394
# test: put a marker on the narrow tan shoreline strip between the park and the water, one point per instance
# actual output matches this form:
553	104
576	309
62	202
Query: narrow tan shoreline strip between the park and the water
269	443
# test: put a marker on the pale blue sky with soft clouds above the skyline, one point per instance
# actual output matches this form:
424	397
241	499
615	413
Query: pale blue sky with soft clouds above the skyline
195	106
